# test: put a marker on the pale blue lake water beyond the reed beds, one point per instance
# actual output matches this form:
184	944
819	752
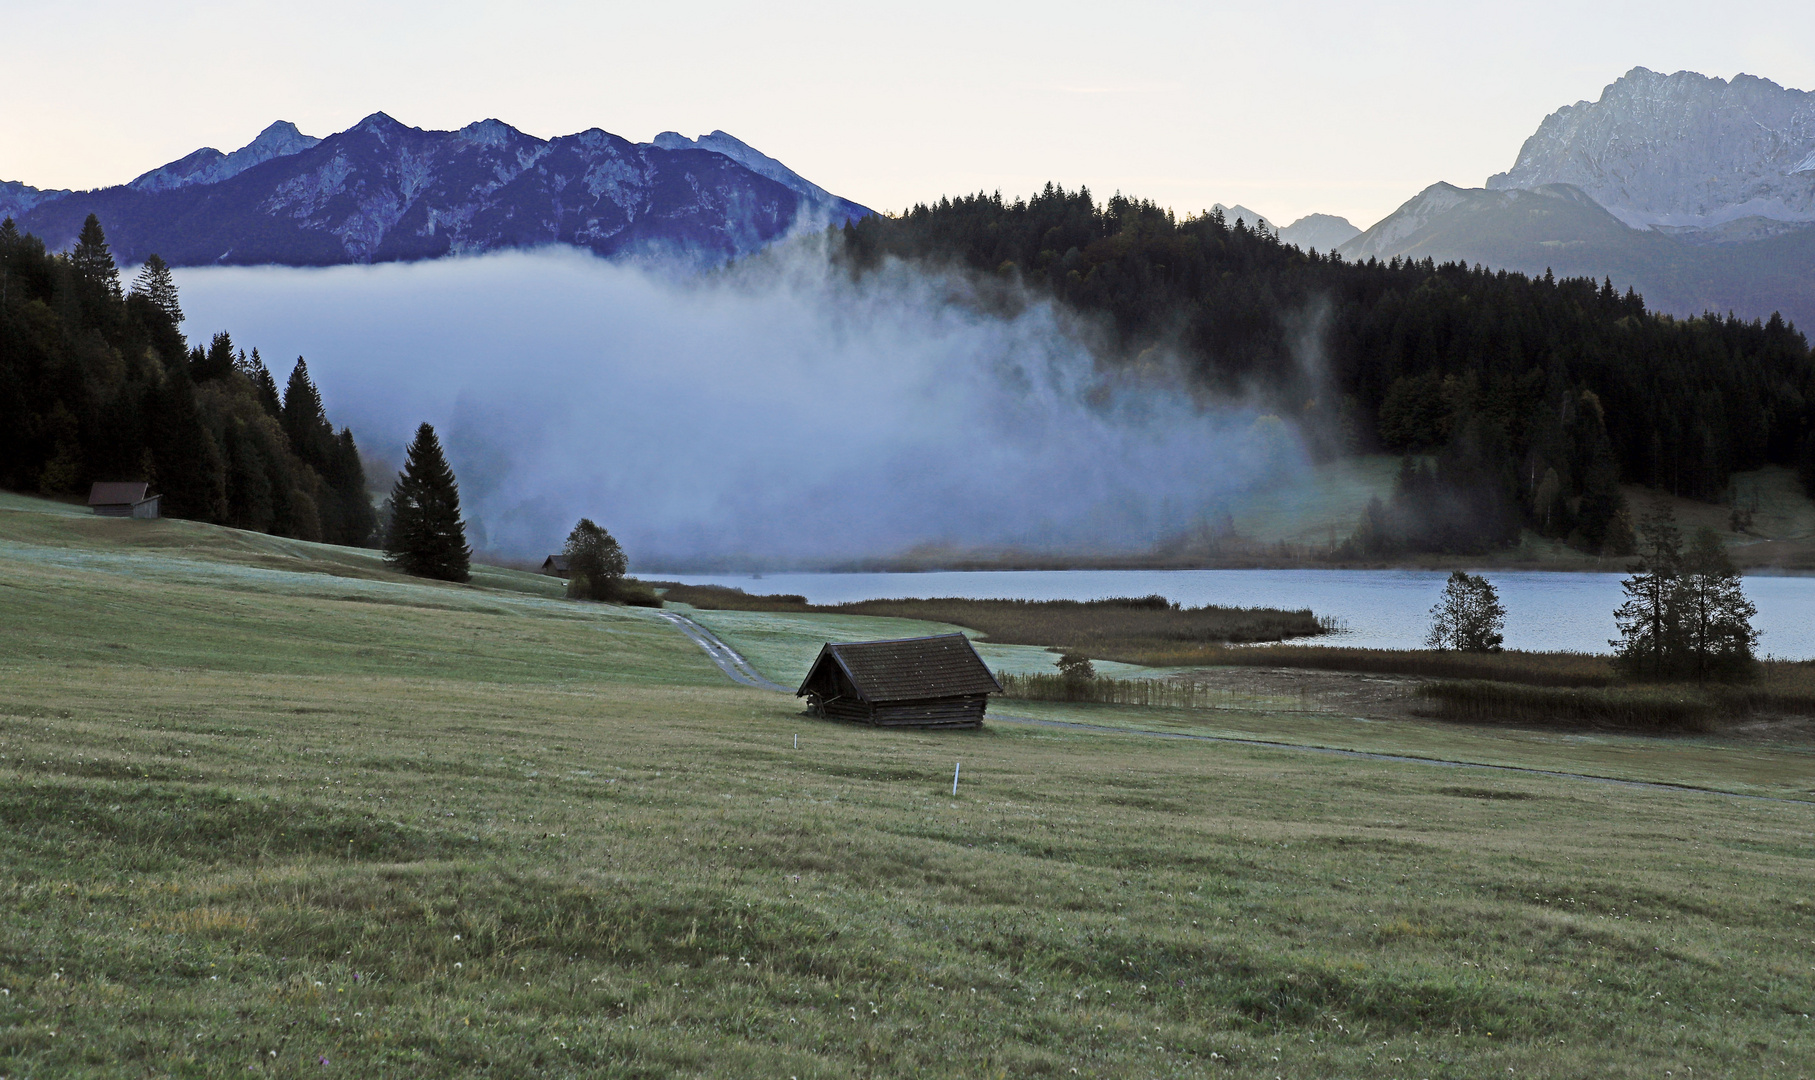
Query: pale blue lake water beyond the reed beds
1380	609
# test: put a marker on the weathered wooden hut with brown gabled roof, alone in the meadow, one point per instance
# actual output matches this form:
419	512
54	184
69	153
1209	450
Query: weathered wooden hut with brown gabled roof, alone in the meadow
907	683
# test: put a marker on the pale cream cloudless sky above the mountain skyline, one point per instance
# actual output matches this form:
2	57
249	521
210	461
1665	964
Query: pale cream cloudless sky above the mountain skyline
1290	110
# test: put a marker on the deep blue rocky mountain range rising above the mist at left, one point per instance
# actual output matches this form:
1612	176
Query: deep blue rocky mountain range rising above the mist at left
384	191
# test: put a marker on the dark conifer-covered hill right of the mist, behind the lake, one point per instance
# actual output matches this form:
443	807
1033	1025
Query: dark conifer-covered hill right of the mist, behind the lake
1524	400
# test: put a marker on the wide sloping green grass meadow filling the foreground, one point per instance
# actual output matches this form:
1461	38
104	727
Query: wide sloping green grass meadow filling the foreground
271	810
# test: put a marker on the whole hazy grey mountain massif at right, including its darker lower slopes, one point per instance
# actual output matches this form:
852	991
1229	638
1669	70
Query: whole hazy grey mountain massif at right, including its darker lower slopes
1696	191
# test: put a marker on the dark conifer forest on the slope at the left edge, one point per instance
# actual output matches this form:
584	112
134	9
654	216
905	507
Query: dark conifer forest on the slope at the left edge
99	384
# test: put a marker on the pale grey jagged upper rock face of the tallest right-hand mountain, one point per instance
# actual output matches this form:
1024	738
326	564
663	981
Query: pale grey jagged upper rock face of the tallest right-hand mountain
1680	152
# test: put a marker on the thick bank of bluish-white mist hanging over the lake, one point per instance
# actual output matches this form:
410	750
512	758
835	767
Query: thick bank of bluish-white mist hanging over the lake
776	415
